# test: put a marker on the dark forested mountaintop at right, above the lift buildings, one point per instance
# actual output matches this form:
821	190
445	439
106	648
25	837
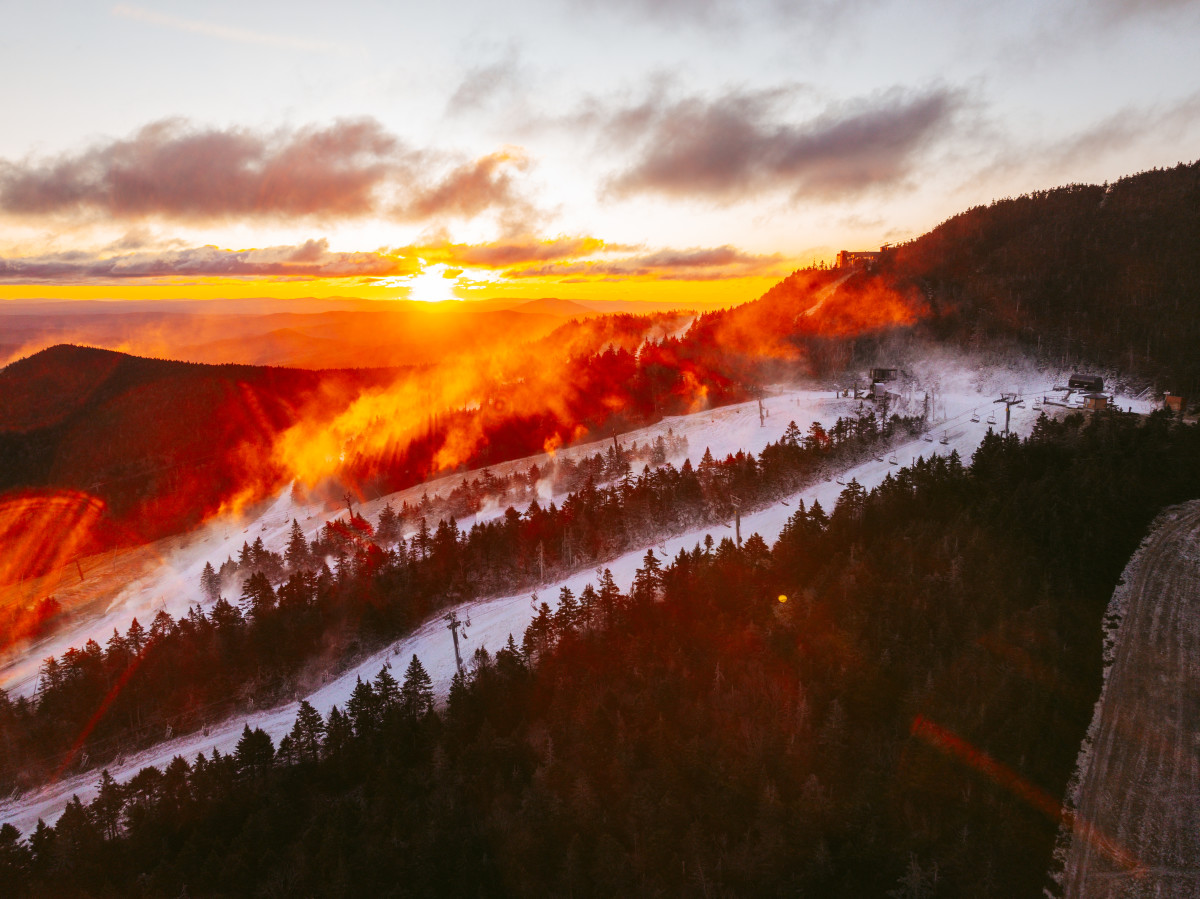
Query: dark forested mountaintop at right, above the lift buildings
1088	274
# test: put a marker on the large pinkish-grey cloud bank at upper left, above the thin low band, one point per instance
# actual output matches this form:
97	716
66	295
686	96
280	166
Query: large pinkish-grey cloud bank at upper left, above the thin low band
175	170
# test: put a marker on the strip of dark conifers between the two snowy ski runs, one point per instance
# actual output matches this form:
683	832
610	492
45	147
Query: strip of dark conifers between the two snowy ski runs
279	621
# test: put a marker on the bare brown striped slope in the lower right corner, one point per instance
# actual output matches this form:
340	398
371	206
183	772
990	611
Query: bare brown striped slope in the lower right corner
1138	823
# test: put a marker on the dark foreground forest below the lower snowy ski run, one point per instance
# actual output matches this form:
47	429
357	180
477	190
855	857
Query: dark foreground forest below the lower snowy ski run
886	703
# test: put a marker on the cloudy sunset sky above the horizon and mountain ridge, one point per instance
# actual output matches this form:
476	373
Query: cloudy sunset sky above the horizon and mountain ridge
635	149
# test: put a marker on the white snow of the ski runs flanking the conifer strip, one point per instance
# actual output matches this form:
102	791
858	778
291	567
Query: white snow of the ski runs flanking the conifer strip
959	391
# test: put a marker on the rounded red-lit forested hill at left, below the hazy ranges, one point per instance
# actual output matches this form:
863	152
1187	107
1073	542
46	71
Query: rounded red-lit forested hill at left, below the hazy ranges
159	443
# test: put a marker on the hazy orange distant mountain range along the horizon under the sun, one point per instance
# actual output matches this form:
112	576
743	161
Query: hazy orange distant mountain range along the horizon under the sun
334	333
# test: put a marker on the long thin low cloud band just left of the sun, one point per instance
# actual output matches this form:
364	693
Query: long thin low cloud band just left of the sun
311	260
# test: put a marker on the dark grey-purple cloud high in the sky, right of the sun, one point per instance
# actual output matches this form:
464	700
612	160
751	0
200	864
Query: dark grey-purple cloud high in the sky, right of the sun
741	145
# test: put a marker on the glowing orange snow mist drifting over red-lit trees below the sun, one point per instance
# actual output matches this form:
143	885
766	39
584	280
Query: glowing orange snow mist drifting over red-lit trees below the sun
488	403
